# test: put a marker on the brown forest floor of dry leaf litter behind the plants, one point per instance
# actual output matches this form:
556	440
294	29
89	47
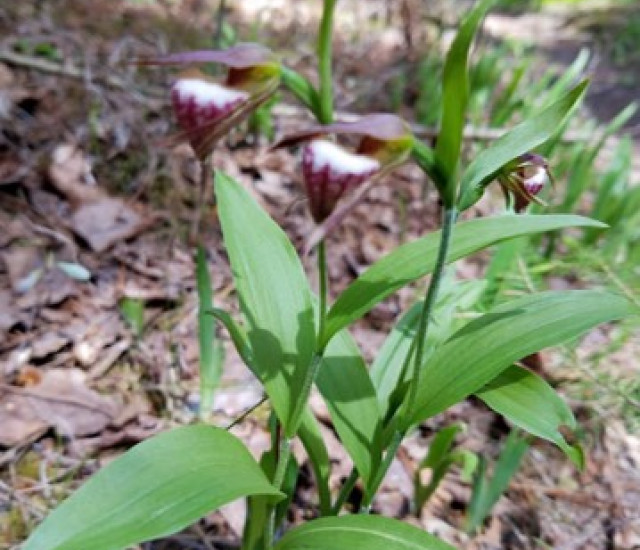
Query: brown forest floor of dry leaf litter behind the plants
87	177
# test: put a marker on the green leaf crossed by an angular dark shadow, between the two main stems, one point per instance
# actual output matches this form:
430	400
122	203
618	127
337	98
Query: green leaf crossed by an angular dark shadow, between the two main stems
345	385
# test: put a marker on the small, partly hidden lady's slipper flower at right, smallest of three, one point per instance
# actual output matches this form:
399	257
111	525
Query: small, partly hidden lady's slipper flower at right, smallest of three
525	177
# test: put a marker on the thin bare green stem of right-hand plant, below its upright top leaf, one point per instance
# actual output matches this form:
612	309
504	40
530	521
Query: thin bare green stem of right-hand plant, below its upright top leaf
450	217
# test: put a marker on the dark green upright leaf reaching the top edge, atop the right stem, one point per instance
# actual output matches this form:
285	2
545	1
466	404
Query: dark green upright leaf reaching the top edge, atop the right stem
455	96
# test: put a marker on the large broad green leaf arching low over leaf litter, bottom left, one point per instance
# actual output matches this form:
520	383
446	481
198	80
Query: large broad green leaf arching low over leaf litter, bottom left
157	488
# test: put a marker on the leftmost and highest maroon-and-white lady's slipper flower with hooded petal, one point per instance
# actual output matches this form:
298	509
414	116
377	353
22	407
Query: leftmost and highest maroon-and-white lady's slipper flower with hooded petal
207	109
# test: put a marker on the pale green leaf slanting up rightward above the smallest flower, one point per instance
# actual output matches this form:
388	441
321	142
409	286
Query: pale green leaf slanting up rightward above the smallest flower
523	138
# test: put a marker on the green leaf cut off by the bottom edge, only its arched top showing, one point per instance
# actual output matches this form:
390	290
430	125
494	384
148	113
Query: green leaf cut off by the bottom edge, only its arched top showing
359	532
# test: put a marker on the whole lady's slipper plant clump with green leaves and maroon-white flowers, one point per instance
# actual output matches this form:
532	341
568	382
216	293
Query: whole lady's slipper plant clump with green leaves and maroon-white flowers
292	339
